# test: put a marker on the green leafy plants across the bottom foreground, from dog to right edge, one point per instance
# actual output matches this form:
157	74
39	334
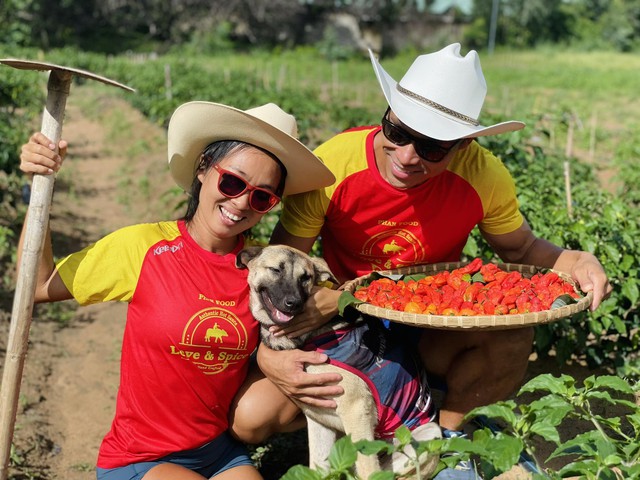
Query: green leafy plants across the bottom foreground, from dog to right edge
607	448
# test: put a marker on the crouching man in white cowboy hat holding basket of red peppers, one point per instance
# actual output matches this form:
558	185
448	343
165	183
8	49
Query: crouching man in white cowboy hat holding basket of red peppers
410	192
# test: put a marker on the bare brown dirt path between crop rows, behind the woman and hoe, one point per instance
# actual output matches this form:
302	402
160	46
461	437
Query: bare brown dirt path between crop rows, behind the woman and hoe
115	175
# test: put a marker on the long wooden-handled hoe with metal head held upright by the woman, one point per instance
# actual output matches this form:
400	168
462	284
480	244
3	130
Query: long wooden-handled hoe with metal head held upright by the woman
41	193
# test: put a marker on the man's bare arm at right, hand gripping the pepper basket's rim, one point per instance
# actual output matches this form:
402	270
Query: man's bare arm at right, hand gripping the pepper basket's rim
522	246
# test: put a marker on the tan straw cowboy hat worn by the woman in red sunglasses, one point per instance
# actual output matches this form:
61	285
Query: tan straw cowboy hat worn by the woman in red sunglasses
195	125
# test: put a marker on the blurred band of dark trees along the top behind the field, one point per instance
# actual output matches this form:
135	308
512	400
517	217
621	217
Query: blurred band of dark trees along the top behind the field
114	26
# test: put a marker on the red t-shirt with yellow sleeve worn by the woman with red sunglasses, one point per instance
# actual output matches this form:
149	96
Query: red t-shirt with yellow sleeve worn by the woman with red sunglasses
187	341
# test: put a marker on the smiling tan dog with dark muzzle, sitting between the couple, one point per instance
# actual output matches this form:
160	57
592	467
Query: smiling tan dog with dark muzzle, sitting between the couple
281	279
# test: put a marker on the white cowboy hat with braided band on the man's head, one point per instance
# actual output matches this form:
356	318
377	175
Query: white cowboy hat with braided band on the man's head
441	95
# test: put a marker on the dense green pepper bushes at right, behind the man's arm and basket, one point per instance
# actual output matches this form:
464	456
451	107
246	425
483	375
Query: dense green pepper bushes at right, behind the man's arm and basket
600	223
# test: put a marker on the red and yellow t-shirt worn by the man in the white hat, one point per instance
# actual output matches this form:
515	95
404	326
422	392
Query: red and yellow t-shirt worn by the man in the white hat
366	224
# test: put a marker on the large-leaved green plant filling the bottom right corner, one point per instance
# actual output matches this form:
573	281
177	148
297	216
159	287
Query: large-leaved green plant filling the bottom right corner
610	449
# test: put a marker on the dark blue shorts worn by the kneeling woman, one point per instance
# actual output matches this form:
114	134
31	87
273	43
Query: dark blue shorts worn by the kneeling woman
222	453
